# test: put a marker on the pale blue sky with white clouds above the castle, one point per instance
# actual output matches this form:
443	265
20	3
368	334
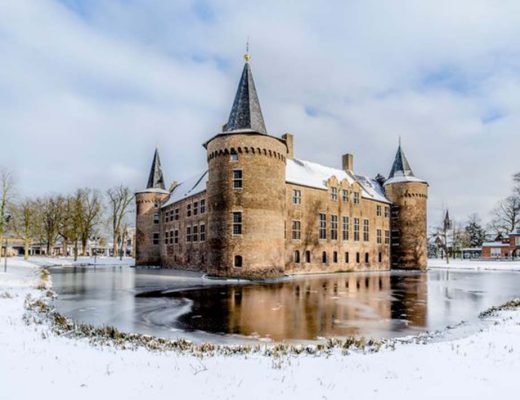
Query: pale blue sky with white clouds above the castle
89	87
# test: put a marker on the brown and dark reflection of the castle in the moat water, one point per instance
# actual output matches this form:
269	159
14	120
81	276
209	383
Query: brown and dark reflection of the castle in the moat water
311	307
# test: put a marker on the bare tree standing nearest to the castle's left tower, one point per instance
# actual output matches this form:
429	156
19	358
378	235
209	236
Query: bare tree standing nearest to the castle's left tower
119	202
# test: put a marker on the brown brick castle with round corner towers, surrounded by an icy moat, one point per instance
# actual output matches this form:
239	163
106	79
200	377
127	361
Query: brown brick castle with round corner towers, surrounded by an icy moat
257	211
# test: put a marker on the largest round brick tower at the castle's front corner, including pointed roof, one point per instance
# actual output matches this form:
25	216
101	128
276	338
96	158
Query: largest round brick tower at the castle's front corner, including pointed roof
246	191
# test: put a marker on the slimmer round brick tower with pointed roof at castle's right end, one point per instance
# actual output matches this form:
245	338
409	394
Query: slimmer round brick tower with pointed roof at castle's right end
408	219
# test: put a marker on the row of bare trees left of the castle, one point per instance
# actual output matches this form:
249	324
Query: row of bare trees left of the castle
71	219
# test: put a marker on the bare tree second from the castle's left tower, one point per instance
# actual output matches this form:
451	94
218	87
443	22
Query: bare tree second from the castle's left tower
89	214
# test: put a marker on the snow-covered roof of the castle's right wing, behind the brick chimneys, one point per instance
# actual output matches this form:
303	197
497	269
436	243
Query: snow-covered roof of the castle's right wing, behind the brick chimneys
314	175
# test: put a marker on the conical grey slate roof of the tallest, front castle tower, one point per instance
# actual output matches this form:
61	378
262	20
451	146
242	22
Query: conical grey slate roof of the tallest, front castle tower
246	113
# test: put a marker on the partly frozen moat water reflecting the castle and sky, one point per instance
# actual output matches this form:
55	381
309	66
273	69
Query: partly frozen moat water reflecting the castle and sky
380	304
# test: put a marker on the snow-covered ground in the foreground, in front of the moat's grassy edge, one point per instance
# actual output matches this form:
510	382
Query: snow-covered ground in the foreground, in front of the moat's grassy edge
34	364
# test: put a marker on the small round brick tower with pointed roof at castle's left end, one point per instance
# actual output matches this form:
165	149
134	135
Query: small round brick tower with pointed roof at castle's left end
148	206
